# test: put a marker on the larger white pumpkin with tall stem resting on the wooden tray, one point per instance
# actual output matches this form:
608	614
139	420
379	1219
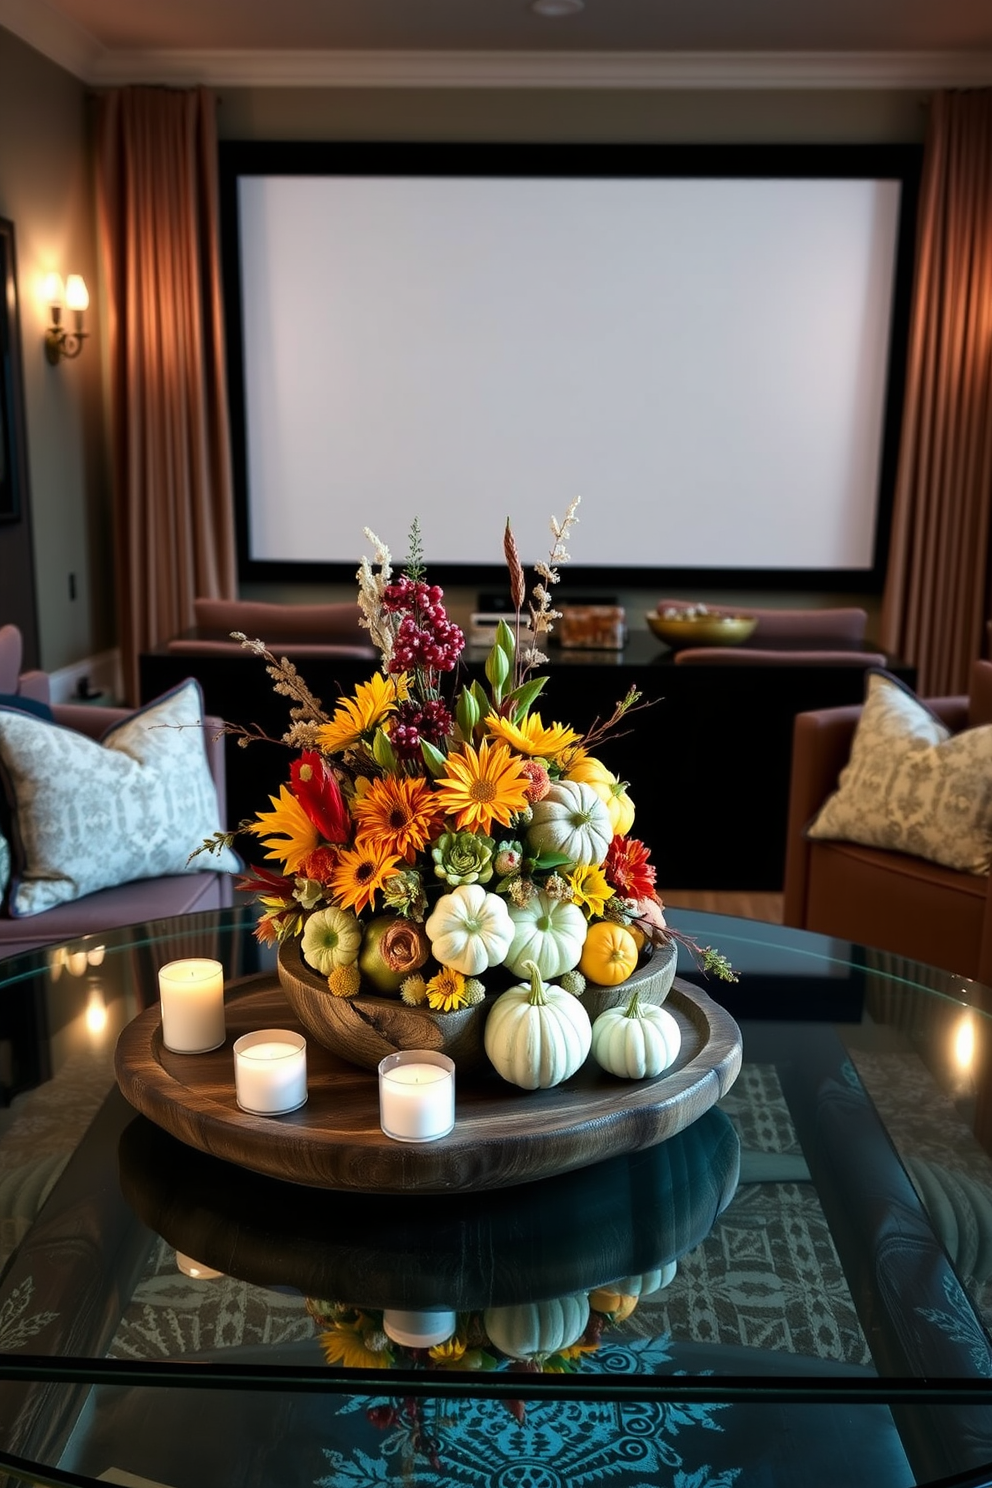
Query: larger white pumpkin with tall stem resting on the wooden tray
536	1035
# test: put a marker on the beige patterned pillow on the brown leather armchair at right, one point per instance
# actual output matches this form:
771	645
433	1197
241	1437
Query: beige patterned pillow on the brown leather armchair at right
911	786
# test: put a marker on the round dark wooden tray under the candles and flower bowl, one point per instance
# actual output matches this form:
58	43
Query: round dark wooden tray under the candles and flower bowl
503	1136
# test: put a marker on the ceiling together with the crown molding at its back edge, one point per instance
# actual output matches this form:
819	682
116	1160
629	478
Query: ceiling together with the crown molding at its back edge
503	42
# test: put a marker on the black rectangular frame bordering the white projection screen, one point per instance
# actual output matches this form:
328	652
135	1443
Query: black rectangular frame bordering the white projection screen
901	163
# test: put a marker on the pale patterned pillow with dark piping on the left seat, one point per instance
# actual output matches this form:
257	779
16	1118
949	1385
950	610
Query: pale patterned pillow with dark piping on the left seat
90	816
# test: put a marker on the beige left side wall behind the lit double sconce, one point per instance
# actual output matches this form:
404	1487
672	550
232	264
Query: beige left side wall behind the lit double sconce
45	190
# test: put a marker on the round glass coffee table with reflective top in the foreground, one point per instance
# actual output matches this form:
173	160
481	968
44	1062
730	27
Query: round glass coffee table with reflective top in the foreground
793	1289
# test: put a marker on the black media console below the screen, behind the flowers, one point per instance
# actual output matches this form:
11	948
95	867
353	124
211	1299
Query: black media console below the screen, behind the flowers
709	755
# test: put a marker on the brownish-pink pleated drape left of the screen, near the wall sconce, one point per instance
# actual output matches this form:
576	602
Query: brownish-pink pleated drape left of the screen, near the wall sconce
158	212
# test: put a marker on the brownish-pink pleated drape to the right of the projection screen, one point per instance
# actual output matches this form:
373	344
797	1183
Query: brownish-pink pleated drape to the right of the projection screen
938	591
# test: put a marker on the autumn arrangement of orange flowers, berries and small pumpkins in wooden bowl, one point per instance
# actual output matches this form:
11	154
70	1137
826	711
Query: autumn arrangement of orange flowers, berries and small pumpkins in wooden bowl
428	836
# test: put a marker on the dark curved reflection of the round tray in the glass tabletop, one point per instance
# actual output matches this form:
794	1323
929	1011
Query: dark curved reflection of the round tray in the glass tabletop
572	1233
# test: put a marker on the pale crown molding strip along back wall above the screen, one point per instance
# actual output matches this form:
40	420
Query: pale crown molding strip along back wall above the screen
619	71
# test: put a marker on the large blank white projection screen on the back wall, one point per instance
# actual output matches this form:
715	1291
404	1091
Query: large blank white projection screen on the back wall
706	361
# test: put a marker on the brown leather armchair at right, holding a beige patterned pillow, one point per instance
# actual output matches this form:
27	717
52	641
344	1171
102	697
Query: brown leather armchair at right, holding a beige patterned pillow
890	901
